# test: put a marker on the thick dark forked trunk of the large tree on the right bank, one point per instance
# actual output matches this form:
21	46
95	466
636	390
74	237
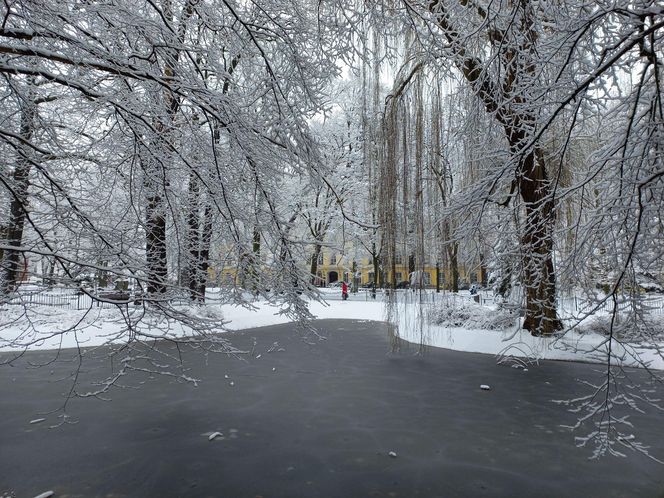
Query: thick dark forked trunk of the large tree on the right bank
506	100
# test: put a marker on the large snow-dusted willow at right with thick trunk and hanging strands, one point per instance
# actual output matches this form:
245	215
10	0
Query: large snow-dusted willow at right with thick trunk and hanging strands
521	73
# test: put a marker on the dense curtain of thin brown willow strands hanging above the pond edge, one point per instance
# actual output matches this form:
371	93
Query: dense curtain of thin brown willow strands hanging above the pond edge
413	181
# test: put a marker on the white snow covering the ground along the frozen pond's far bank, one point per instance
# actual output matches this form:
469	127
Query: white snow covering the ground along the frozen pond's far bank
100	325
